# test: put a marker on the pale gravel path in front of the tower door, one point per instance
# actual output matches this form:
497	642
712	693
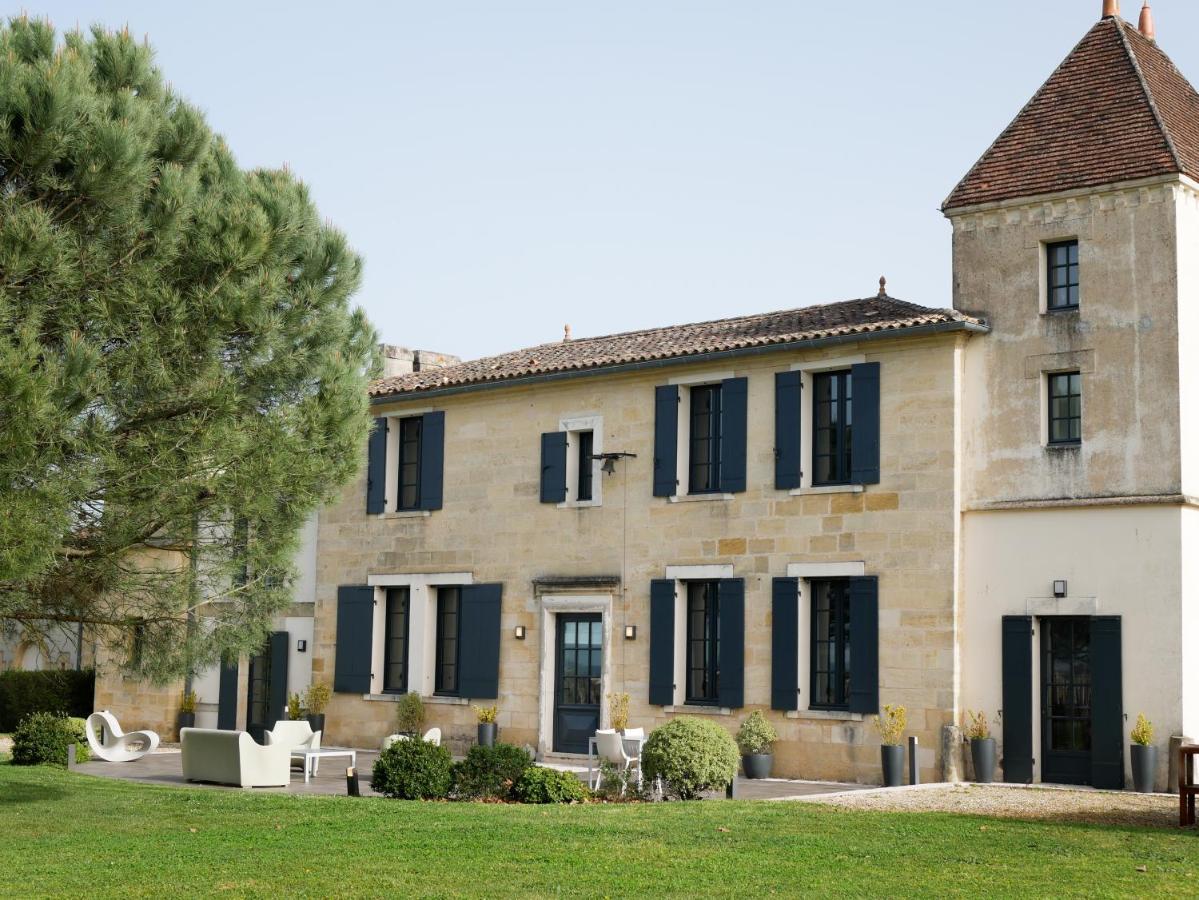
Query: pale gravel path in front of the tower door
1053	805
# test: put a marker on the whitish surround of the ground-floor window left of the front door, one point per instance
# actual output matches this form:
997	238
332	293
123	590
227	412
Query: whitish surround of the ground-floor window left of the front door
423	630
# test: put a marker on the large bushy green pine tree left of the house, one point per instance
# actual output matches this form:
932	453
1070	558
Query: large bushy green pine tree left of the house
183	379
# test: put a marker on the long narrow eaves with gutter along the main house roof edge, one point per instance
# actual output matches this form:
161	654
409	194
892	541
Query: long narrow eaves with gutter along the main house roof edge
966	324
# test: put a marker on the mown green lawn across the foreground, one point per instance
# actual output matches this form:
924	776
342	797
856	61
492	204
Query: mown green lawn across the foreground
79	836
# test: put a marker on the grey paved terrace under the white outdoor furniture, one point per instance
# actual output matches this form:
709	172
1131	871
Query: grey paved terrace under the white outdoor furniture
166	768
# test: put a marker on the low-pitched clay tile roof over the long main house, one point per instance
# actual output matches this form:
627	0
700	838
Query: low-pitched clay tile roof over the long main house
854	317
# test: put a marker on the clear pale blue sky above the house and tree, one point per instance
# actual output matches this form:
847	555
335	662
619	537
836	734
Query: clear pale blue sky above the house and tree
510	166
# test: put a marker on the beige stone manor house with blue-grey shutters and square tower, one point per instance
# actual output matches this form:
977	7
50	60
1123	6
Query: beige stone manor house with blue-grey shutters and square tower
821	511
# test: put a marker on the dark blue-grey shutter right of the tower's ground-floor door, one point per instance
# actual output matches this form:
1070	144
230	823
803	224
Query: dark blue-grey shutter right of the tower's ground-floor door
1107	704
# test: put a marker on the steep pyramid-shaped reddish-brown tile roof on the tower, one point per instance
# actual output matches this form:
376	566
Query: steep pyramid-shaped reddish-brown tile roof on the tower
1116	111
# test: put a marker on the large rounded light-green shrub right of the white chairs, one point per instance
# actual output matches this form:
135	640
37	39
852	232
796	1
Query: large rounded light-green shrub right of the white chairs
691	757
